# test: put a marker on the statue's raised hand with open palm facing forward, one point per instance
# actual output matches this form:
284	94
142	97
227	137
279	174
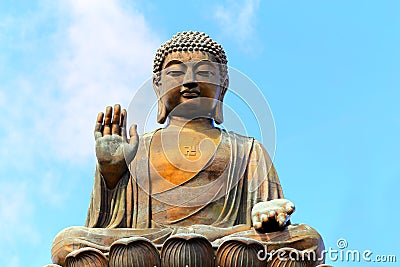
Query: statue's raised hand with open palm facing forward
114	151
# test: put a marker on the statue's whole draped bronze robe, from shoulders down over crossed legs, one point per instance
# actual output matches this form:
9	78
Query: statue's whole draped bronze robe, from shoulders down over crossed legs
128	210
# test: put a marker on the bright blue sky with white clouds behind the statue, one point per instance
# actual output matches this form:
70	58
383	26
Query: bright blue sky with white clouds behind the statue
329	70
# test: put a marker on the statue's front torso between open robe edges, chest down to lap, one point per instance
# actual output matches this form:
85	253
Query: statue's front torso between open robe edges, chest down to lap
187	180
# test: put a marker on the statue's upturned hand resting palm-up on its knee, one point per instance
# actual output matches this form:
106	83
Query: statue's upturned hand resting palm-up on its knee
276	211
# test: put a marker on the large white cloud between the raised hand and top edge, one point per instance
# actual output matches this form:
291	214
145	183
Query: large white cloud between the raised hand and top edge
108	53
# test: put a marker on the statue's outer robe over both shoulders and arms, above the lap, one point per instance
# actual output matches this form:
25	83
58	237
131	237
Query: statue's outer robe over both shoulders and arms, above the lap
248	179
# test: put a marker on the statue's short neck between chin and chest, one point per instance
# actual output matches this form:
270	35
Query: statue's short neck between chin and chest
198	124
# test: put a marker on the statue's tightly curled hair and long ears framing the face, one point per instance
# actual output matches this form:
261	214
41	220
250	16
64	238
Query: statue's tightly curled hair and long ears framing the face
190	46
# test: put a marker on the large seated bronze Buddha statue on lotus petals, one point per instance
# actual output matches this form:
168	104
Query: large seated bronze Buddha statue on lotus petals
190	193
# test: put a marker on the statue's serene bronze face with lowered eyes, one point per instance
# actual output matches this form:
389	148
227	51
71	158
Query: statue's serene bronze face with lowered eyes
190	84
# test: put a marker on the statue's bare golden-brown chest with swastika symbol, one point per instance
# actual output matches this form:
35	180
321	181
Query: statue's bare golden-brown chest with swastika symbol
178	158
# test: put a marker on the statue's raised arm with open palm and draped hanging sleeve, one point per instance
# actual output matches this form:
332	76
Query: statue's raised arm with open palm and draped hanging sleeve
114	152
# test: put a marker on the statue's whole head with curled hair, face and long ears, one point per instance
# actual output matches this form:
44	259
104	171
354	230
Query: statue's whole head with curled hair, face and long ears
190	65
